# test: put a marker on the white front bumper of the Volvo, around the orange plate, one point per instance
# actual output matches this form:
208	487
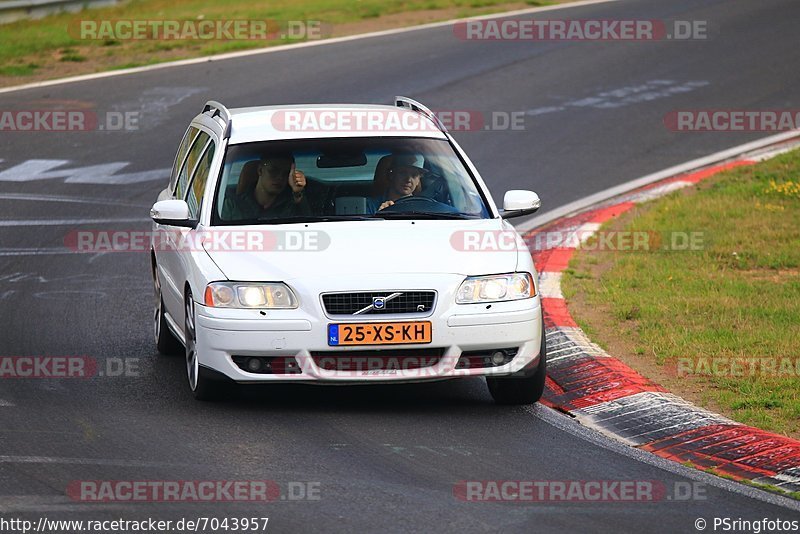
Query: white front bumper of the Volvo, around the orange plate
223	334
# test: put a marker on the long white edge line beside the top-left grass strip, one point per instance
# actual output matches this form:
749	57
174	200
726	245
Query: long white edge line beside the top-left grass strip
306	44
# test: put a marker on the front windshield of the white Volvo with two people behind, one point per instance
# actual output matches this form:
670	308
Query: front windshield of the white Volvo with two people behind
345	179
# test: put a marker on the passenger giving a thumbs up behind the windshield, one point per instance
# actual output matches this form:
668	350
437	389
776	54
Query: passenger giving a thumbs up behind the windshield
270	197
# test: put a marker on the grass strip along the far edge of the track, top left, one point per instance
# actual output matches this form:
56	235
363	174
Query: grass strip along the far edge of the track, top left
34	50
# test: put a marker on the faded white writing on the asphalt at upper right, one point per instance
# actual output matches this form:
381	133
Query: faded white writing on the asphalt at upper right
625	96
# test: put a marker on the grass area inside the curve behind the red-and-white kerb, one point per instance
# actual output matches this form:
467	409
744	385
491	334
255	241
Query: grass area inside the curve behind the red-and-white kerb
719	325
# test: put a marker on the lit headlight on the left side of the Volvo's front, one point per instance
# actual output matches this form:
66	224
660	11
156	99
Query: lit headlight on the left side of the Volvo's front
246	295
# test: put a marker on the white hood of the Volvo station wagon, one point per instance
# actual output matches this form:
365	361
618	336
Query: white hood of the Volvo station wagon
353	248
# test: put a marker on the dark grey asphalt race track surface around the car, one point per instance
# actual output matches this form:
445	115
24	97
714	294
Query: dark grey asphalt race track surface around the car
384	459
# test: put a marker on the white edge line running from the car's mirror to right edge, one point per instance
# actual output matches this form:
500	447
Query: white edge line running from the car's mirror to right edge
601	196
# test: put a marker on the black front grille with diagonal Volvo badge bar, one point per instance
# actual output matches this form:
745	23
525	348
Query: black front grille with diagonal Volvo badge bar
419	302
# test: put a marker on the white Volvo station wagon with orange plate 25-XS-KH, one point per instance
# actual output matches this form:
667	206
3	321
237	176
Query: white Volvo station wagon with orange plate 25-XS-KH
341	244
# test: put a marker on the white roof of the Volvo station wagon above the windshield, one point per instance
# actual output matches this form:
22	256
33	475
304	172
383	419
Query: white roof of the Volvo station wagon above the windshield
268	123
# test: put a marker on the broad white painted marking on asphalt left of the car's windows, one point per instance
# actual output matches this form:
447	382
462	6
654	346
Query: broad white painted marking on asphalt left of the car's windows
43	169
